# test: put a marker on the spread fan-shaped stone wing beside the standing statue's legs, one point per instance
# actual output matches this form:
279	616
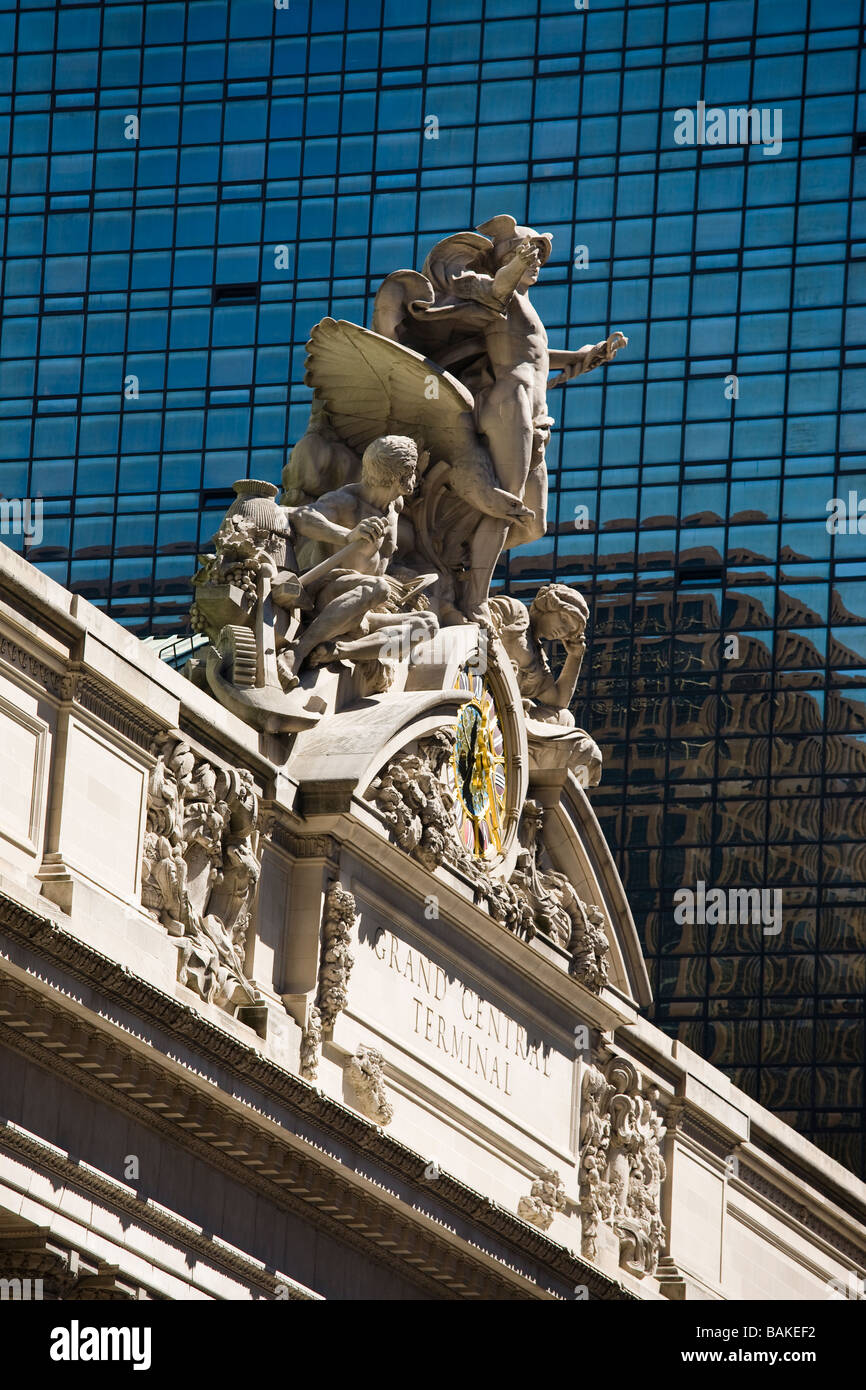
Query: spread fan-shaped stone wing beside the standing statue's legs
372	386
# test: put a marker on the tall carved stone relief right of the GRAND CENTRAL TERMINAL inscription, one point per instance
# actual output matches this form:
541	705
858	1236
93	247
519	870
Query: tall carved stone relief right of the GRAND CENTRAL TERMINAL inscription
621	1166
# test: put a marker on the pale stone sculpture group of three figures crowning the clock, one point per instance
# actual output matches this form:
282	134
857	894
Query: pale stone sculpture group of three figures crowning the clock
423	461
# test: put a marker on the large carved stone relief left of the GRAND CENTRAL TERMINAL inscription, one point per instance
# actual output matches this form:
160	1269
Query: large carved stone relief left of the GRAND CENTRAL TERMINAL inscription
201	868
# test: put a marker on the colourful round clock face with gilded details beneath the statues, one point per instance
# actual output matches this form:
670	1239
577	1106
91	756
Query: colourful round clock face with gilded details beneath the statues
477	772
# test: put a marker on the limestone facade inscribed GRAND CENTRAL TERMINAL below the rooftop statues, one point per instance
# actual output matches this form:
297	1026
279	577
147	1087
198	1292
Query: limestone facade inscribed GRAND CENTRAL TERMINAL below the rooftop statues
269	1035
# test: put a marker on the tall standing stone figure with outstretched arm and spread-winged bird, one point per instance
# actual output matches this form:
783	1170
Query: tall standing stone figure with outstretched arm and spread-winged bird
458	358
